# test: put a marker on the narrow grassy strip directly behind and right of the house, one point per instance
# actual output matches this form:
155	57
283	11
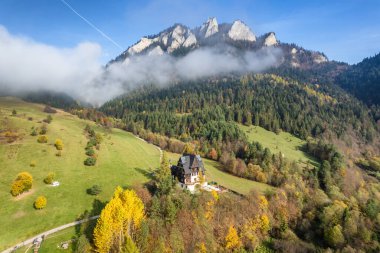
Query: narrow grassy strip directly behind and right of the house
214	173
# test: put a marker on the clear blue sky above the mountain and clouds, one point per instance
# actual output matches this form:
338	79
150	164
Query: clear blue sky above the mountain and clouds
345	30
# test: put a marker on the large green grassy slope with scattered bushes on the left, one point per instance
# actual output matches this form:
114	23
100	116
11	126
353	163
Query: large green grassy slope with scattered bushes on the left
122	160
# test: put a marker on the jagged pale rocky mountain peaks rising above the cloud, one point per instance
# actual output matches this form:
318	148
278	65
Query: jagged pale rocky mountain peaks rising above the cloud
180	40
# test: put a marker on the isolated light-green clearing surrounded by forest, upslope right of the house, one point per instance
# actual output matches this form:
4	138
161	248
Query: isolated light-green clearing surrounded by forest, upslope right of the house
284	142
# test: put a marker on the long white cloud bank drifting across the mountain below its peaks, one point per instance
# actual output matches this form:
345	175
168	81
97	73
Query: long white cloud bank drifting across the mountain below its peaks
26	65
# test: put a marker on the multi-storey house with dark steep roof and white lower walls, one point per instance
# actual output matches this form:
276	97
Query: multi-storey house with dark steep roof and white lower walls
189	171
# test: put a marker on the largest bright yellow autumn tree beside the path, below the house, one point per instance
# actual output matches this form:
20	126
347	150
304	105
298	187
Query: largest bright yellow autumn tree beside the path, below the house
119	221
